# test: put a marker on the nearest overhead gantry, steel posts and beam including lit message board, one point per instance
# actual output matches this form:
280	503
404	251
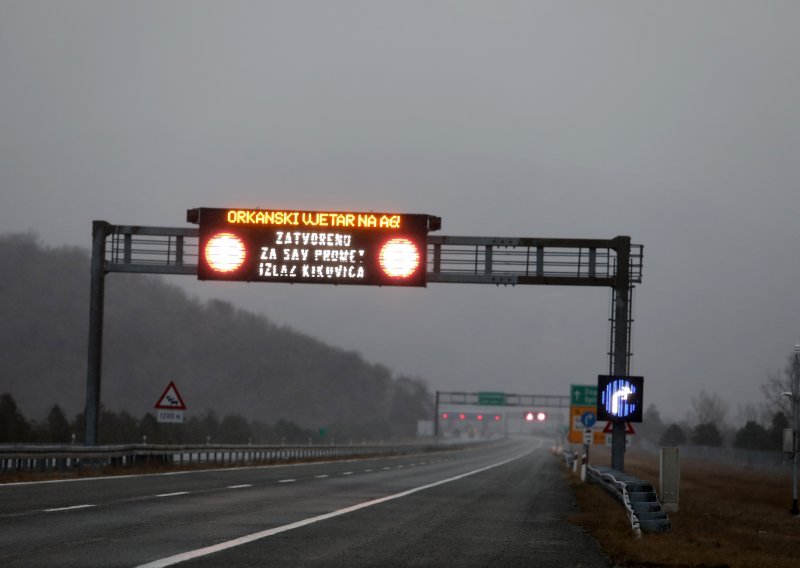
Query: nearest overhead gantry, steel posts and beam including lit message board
381	249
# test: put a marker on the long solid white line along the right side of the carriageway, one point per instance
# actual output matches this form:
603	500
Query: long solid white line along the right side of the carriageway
200	552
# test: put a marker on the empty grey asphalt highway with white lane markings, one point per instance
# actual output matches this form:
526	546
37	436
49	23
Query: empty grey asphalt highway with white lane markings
502	506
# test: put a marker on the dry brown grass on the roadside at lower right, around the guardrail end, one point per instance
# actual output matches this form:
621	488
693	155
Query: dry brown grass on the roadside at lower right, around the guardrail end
729	517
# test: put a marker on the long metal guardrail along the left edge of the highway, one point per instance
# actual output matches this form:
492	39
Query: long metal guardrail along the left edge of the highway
65	458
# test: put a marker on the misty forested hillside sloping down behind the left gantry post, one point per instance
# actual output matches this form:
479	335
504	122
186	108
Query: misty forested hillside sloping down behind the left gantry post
221	358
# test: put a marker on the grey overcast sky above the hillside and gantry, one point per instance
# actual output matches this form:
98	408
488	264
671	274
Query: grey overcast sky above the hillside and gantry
677	123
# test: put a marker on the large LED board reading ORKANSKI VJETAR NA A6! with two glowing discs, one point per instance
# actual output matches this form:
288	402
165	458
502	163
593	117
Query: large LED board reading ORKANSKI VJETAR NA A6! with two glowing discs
319	247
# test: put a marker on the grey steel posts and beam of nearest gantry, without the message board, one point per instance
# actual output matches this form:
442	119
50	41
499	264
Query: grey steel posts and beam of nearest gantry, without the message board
613	263
